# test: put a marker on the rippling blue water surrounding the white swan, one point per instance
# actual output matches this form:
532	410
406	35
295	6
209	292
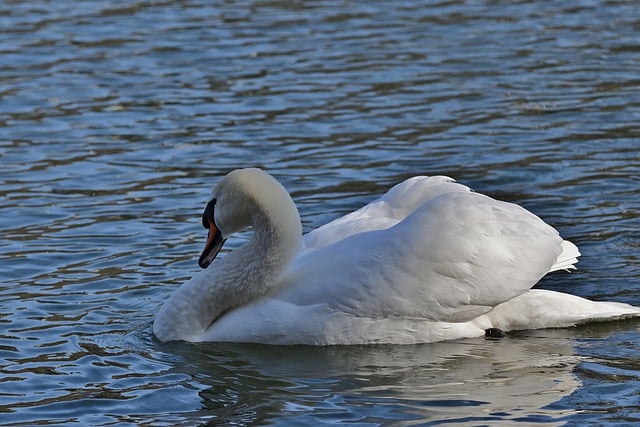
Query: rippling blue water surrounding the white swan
116	118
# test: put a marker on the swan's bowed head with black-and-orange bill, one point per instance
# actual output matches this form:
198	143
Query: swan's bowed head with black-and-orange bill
244	198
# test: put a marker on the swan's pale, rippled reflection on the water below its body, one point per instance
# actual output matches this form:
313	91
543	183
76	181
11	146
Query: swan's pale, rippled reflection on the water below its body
463	382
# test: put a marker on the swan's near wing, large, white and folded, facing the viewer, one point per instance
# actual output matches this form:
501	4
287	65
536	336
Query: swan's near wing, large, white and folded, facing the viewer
454	258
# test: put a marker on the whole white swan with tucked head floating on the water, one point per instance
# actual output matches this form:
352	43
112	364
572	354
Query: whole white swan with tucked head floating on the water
429	261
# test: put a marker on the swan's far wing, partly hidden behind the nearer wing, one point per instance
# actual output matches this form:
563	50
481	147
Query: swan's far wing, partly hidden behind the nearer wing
398	203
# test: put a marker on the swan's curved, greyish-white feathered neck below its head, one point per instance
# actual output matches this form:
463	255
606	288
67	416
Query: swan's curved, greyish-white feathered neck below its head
242	276
